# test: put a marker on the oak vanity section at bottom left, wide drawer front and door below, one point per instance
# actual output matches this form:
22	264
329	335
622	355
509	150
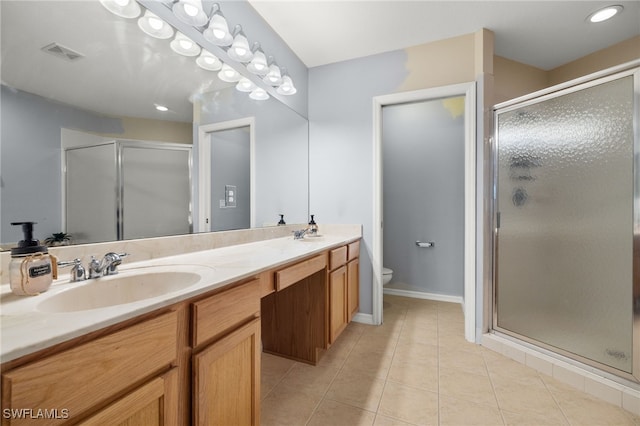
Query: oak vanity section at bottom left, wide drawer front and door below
126	374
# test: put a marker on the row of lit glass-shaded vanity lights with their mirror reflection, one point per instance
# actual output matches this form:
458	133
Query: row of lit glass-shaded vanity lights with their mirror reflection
215	29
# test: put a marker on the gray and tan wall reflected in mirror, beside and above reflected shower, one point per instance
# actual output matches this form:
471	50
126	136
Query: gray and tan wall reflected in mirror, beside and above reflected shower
30	152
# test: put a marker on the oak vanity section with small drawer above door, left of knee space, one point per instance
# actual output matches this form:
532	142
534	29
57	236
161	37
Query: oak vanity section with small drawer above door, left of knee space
226	357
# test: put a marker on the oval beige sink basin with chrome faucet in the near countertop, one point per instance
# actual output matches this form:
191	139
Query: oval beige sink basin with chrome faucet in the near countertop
125	287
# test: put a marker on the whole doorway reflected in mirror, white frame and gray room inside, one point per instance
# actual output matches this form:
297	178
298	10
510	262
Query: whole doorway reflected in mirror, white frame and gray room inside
226	187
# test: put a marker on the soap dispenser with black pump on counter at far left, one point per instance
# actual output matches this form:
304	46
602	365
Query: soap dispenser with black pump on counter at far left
32	269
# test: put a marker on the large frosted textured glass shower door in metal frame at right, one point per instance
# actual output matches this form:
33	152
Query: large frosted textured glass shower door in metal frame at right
567	221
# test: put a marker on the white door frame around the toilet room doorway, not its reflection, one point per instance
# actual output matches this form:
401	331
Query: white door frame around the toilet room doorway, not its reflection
468	90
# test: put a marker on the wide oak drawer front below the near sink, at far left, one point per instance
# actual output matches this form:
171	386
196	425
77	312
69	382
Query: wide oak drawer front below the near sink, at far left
81	378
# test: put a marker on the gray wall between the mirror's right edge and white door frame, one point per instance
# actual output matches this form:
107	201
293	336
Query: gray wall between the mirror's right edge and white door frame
341	145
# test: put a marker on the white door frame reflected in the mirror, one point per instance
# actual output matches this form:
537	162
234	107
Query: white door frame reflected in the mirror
204	168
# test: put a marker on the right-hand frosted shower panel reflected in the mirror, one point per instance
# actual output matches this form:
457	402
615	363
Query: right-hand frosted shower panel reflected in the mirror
156	191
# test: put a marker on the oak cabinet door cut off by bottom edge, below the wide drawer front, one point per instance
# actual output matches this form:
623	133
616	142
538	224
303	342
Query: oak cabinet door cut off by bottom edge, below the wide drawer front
152	404
